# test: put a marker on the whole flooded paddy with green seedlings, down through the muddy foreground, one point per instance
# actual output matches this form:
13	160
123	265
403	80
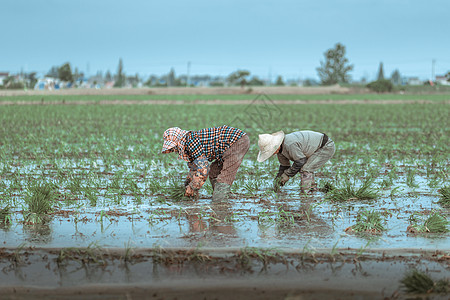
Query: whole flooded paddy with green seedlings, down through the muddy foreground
86	208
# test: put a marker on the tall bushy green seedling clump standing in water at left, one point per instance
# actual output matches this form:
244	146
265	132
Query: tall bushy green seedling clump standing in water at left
40	199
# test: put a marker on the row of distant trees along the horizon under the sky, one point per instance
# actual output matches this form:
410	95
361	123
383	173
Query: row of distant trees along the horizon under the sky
334	69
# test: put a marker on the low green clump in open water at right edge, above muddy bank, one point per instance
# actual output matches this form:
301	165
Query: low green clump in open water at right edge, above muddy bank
435	223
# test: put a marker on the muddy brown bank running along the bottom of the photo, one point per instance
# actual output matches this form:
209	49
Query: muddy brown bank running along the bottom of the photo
219	273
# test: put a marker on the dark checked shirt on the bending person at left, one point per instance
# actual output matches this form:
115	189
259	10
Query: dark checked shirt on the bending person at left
210	142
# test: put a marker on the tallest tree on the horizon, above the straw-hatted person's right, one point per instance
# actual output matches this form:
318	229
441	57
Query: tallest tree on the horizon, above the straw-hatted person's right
335	69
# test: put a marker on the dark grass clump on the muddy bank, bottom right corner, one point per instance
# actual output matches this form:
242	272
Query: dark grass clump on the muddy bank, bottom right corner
420	283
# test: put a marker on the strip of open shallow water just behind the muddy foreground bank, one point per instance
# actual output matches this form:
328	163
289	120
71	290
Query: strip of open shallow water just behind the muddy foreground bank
246	222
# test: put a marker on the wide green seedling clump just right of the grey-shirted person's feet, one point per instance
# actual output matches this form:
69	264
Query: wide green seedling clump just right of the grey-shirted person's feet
349	192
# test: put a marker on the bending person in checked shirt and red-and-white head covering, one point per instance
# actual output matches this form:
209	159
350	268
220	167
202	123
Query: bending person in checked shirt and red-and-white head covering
216	152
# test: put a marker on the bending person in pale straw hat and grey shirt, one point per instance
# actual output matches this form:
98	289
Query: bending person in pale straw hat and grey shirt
309	150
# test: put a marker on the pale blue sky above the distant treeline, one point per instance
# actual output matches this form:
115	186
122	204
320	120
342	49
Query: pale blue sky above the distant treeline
283	37
